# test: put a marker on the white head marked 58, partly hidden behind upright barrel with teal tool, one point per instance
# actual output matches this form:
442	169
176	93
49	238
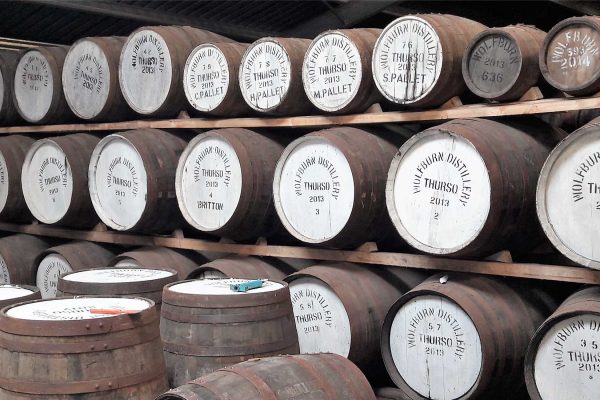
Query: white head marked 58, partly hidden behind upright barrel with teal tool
321	319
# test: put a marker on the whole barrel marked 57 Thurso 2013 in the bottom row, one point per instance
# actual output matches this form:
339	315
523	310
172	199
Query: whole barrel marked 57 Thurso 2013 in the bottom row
461	336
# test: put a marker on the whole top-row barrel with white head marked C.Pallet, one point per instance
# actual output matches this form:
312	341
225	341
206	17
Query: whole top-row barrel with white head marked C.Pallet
210	80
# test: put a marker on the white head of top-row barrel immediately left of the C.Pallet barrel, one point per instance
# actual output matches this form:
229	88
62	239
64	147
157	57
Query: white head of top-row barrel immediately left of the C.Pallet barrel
145	71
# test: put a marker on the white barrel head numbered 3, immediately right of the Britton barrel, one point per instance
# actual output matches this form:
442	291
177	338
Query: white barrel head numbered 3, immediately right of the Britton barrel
313	189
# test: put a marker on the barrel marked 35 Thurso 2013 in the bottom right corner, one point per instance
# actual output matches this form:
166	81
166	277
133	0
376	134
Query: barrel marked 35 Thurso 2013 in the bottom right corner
562	359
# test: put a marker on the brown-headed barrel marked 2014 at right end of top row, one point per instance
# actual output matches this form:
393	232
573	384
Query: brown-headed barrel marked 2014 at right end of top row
570	56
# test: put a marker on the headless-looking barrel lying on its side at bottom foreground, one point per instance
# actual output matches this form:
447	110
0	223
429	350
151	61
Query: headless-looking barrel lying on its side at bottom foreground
311	376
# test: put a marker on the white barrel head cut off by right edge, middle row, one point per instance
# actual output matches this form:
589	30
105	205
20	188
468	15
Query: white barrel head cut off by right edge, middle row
568	197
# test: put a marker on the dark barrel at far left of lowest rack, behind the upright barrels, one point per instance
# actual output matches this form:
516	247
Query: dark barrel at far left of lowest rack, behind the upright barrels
18	254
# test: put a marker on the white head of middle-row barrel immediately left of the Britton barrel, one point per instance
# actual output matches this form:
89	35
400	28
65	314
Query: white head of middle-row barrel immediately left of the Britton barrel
118	182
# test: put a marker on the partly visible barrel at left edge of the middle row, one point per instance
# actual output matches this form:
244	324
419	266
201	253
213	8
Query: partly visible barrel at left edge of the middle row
13	149
